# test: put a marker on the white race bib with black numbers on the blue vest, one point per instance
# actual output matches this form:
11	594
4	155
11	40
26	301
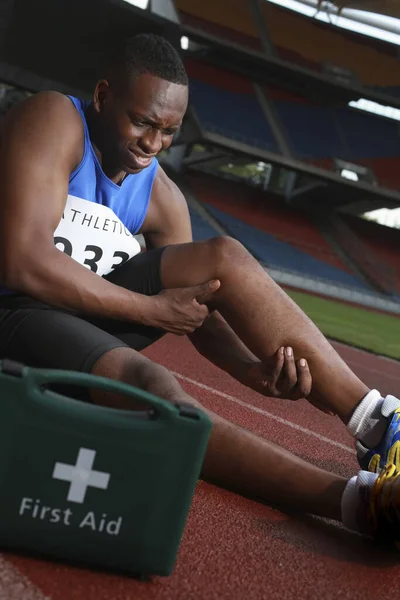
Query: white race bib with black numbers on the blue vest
94	236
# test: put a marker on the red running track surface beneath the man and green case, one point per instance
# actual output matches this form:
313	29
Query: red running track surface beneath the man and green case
234	548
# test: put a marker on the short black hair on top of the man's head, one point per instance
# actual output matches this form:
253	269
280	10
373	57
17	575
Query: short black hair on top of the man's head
147	53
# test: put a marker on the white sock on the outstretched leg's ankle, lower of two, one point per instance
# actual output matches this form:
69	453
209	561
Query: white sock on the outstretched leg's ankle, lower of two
354	502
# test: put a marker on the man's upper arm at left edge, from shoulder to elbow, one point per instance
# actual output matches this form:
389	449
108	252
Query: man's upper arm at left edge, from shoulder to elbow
34	171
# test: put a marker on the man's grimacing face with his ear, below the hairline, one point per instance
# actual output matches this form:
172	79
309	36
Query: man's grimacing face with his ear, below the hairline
137	124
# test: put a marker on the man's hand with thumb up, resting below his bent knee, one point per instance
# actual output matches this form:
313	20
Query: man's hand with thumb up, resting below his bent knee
180	310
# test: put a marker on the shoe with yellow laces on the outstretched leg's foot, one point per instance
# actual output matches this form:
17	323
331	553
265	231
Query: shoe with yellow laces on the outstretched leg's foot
385	504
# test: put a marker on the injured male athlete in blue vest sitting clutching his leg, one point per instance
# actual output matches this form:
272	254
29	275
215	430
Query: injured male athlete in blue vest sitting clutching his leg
77	180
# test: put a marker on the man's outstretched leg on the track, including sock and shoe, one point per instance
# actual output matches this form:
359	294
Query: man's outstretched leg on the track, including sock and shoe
240	461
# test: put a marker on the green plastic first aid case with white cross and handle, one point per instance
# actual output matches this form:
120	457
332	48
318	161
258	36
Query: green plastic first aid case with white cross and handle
94	485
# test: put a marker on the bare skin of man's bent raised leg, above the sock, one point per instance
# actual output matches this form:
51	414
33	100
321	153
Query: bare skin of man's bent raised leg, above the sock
263	315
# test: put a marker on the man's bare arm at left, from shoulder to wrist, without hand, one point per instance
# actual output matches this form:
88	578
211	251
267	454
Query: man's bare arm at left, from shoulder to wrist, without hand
42	142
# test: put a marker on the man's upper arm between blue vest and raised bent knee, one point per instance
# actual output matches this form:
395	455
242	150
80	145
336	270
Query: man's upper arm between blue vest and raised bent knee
168	219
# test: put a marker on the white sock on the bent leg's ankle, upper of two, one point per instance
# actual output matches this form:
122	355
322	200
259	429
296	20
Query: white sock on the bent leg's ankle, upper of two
367	423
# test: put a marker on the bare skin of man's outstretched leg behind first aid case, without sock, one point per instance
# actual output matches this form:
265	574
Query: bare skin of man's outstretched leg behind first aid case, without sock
236	459
